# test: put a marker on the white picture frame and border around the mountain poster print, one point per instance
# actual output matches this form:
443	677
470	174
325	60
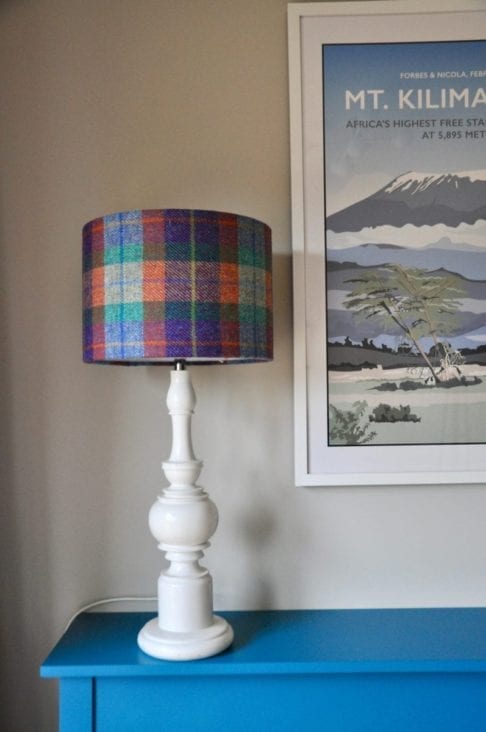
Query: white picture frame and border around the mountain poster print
311	26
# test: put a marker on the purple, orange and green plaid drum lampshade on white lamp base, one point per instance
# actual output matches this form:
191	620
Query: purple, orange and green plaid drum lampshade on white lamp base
160	285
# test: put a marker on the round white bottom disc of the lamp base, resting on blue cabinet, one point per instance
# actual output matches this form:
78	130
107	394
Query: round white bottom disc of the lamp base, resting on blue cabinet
185	646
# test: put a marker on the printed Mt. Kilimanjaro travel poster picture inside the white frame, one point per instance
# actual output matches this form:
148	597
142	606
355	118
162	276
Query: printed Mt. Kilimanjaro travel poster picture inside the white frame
405	242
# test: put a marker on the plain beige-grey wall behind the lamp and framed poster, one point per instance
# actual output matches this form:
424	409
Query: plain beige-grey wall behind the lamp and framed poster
116	104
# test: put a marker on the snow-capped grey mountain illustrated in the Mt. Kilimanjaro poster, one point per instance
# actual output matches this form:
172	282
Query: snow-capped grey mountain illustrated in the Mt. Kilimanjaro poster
418	199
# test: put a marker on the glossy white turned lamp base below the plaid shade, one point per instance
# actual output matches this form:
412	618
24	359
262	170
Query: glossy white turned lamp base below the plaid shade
182	520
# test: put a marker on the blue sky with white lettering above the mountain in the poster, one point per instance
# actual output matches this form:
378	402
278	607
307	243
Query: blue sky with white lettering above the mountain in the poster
411	106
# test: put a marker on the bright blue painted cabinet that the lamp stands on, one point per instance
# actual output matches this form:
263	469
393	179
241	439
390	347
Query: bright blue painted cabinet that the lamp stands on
408	670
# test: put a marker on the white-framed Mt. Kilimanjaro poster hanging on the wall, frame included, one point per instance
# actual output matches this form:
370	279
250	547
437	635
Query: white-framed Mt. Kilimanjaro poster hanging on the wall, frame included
388	138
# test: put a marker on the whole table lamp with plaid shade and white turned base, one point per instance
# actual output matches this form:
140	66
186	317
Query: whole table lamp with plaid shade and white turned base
179	286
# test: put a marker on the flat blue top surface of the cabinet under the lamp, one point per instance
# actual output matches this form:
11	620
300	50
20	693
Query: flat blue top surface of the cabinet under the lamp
286	641
